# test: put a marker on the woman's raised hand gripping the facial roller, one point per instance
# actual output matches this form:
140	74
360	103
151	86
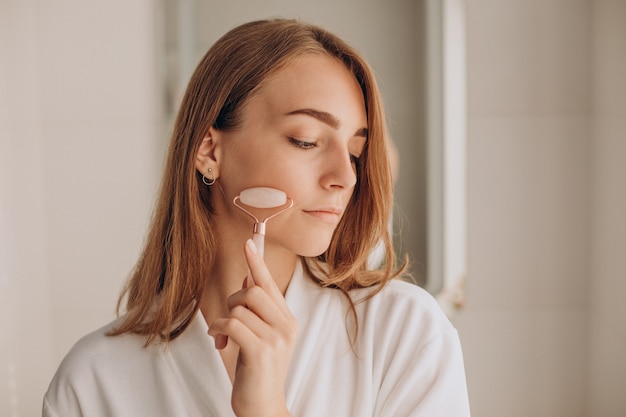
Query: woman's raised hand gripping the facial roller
260	323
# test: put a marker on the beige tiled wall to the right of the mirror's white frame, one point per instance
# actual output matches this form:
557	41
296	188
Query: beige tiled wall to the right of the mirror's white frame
545	326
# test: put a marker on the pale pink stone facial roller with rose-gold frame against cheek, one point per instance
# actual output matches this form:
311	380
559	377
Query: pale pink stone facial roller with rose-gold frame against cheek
262	198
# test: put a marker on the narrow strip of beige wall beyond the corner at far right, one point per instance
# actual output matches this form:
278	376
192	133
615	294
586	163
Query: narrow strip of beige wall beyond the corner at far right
607	283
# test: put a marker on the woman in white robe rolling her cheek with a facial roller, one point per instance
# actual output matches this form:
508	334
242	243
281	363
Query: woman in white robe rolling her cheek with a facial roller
311	331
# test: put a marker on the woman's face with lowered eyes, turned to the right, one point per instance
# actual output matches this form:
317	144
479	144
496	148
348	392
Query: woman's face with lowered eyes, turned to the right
301	133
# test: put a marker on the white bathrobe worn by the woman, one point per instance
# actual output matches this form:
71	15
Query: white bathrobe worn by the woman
407	361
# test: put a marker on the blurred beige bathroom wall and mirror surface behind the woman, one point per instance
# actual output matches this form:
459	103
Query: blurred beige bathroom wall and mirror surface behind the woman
86	95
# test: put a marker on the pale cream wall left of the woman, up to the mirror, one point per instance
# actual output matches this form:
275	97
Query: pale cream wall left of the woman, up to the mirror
79	163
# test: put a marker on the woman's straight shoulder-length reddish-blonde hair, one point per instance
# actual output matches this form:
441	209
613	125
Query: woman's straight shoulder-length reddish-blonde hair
166	285
